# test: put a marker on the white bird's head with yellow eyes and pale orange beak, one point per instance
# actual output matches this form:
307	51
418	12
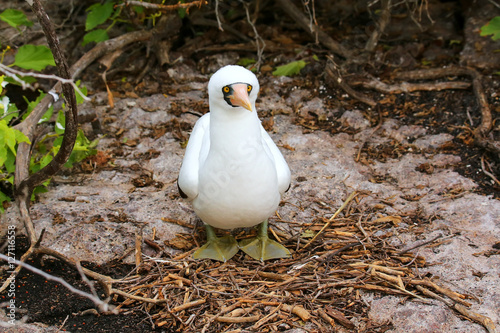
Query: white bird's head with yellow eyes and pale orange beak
233	88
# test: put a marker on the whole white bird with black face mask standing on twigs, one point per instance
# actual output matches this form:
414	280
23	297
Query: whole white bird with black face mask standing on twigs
232	171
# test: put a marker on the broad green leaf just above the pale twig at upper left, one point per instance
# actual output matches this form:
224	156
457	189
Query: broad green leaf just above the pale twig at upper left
35	57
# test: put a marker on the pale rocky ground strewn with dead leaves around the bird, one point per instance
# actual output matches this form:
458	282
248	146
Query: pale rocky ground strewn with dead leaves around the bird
408	157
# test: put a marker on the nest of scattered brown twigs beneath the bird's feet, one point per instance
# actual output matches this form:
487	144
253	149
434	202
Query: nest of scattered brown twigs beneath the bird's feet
317	289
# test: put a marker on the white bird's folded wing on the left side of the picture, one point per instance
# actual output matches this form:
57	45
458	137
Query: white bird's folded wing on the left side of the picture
196	152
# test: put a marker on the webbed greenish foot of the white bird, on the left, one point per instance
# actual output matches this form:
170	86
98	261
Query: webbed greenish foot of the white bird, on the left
217	248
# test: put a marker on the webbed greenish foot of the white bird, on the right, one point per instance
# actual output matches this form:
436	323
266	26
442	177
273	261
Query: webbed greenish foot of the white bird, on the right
262	248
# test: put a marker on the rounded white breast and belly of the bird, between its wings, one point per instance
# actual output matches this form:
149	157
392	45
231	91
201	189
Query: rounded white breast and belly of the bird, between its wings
238	185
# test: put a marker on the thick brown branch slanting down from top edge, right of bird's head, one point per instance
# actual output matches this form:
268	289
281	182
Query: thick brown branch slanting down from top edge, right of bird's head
299	17
